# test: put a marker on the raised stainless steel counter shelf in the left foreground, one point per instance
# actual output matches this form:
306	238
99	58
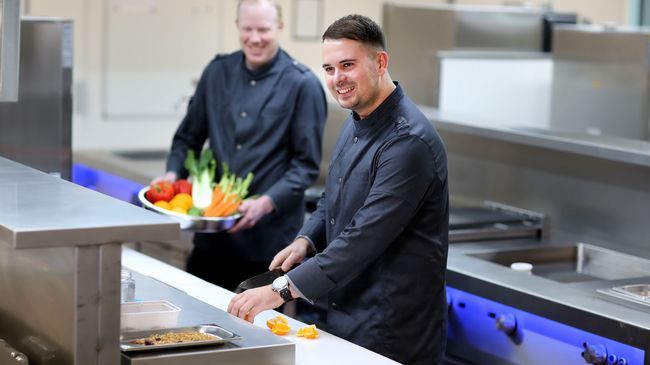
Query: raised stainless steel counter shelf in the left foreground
60	247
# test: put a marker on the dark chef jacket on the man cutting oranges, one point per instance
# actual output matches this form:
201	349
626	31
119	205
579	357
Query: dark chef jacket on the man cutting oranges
383	224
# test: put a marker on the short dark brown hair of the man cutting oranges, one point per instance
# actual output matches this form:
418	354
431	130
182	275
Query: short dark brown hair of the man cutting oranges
359	28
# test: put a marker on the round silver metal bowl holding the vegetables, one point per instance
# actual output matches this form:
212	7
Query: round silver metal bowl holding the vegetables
191	223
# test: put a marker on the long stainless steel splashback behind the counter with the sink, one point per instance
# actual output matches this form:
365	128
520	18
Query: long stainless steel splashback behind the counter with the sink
604	201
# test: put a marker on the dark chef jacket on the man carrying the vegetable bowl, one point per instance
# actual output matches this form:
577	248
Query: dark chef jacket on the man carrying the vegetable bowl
268	121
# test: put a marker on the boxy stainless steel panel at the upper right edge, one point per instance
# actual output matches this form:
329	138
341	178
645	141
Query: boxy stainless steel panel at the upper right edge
600	81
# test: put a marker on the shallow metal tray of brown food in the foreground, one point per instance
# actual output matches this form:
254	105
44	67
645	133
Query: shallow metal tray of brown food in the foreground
220	336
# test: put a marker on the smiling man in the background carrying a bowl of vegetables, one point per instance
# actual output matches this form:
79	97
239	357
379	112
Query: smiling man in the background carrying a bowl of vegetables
262	112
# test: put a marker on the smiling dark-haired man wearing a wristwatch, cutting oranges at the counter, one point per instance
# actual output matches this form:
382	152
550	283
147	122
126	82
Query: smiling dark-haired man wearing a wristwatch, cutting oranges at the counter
381	228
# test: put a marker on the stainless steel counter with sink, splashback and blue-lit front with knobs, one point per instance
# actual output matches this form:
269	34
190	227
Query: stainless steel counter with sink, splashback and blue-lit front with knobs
595	190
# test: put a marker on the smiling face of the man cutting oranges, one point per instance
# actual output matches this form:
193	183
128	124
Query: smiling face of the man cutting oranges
352	73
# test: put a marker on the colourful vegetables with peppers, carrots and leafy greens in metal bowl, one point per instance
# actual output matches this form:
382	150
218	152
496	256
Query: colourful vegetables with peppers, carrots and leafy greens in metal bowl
201	197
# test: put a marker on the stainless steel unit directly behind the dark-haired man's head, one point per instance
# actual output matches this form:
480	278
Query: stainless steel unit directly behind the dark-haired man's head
415	34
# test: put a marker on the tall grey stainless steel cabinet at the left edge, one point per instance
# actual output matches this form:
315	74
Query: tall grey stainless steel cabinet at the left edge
37	129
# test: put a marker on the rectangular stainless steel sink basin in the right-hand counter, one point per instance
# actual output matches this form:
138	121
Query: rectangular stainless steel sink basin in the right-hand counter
568	264
